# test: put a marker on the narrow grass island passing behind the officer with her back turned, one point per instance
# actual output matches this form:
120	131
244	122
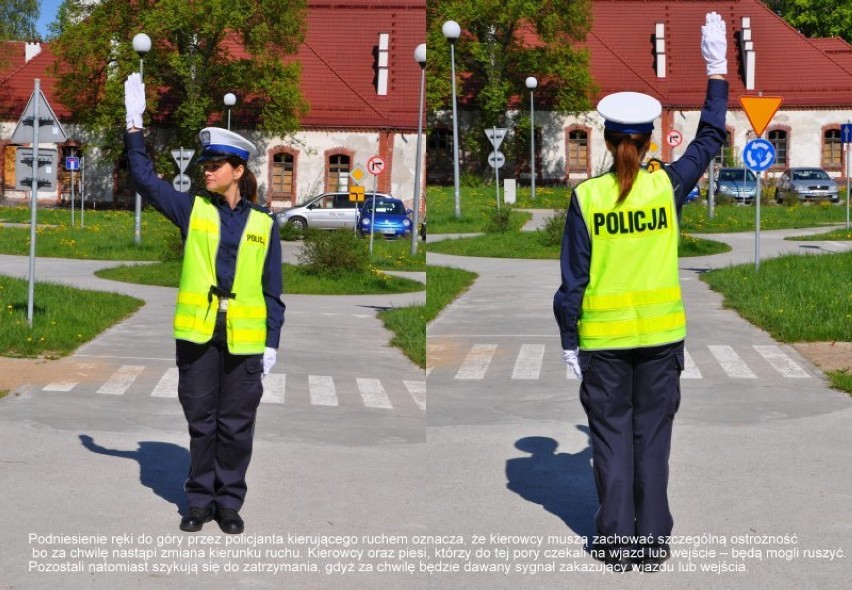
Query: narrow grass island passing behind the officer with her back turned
533	245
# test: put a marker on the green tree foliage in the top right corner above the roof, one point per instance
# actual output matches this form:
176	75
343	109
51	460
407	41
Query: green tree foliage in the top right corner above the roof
816	18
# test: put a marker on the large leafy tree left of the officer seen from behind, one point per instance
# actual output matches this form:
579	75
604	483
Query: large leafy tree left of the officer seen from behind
502	43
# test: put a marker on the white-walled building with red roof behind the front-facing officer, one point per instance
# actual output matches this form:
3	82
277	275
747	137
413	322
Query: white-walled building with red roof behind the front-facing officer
359	78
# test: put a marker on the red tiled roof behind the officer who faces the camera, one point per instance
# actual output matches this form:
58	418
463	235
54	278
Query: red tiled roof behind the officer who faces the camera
337	58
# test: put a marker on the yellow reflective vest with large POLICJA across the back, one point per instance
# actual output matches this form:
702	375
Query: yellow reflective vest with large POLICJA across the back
633	297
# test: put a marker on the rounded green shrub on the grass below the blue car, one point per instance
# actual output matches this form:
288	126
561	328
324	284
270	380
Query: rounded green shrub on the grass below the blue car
333	253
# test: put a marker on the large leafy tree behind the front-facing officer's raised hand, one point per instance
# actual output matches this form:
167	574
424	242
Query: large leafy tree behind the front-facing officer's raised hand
200	51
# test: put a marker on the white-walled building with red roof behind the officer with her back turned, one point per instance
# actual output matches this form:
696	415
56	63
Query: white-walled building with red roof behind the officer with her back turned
653	47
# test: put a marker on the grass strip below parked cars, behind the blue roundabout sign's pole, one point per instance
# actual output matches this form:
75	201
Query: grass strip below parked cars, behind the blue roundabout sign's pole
734	218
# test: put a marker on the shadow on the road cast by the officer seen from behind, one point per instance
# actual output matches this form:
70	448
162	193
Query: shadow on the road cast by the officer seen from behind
561	482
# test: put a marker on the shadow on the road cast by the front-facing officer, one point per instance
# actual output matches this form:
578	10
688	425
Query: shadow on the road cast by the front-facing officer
162	467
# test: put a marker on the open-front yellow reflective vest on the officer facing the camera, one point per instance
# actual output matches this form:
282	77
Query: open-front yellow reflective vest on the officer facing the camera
196	309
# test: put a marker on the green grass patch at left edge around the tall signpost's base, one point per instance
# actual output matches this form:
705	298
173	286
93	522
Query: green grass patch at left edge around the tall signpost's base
63	317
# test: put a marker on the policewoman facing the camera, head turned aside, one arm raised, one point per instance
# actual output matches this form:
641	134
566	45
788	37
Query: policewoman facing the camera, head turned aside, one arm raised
229	312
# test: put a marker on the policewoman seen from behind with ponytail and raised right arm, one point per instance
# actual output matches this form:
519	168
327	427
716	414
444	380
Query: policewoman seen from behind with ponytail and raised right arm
620	312
